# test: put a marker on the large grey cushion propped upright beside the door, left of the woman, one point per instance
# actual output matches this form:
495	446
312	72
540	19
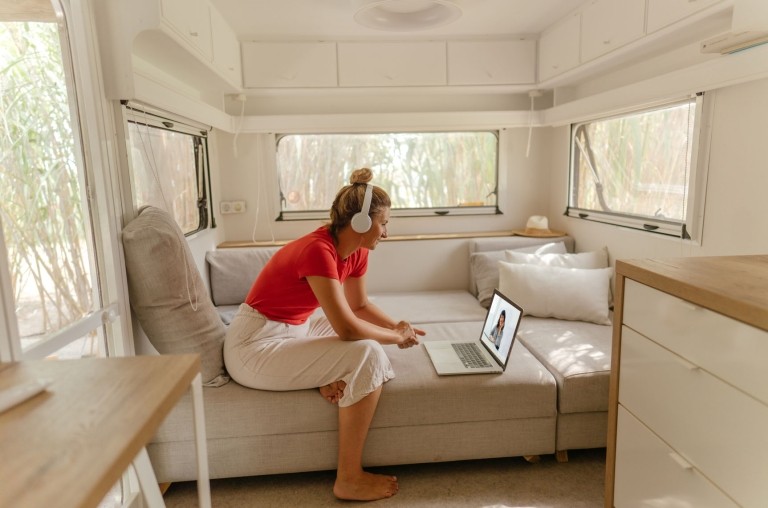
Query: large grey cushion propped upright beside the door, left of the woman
168	295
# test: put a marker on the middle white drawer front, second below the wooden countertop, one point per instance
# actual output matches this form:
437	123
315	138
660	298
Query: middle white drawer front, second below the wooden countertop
717	428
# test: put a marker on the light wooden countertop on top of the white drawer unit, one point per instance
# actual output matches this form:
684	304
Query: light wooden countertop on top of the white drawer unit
736	286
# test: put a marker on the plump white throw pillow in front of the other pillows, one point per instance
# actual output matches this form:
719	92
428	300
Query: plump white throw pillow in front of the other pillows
576	294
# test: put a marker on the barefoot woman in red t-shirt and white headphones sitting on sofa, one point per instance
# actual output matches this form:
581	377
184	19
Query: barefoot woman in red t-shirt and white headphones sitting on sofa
272	345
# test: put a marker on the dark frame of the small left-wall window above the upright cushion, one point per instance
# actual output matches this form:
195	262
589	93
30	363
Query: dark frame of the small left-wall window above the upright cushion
143	115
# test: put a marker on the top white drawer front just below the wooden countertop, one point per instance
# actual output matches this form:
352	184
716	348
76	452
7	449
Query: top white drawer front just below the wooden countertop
727	348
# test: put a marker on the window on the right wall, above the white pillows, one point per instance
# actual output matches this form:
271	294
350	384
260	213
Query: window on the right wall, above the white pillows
637	170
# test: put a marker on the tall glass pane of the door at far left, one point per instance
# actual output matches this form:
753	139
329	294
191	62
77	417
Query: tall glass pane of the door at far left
47	225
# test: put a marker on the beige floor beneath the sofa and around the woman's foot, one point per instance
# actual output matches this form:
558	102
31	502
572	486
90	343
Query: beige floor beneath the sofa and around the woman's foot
493	483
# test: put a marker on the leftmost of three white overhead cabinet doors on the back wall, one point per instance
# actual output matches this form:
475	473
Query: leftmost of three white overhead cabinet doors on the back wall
289	64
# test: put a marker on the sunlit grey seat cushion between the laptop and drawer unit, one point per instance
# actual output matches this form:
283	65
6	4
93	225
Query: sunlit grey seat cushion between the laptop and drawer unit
578	354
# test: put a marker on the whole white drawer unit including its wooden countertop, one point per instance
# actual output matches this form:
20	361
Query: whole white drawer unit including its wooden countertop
688	408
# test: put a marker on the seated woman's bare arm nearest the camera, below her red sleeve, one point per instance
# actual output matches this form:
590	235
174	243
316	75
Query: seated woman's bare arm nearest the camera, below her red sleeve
348	325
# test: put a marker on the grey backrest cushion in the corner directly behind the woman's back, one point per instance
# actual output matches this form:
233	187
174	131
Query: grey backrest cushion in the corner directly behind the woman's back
232	272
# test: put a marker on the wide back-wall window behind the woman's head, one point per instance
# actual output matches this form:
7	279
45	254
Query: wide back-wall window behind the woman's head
424	173
